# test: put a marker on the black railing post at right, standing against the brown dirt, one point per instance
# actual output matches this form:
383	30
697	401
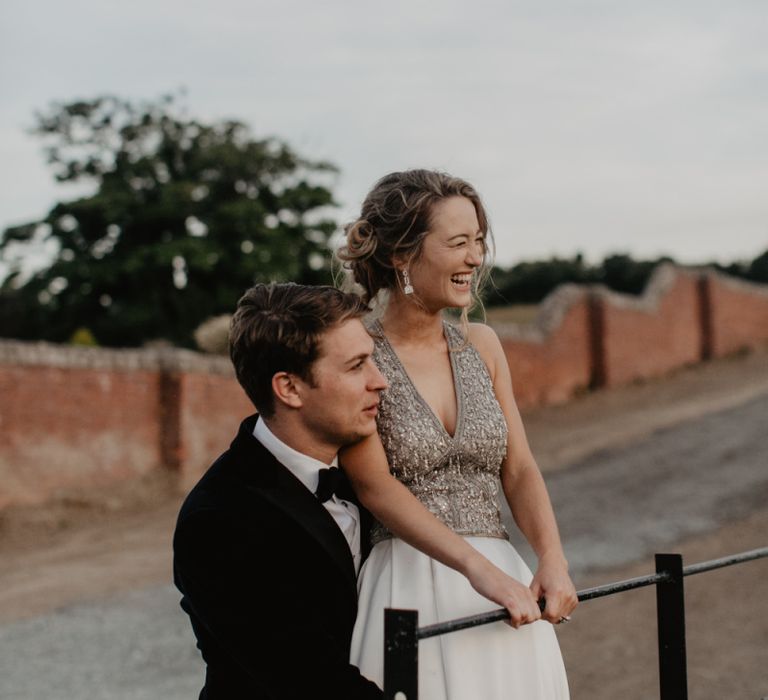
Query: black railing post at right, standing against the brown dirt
670	614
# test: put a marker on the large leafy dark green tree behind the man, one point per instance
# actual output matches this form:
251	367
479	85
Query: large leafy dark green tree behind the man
184	216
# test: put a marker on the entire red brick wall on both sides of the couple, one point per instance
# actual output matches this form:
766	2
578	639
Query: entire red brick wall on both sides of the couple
72	417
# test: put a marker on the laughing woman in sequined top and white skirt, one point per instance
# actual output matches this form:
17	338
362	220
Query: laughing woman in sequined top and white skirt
449	432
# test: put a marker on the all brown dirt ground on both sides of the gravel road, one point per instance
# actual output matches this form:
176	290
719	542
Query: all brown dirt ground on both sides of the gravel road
92	545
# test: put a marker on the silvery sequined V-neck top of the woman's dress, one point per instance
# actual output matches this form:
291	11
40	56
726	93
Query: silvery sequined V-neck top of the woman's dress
455	477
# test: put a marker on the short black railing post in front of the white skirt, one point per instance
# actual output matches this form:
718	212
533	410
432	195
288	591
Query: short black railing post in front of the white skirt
401	654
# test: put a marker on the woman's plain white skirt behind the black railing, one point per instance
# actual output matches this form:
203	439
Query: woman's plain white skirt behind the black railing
488	662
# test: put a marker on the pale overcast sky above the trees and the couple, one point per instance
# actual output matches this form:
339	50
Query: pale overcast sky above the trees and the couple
598	127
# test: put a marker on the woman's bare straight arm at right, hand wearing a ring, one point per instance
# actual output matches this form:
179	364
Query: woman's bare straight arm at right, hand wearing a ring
524	487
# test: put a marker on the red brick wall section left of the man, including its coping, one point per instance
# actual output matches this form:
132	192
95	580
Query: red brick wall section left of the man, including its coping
72	418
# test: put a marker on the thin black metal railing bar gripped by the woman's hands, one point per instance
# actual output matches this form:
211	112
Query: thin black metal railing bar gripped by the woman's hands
591	593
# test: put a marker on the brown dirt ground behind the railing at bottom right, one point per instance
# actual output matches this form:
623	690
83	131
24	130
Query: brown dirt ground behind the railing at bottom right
610	646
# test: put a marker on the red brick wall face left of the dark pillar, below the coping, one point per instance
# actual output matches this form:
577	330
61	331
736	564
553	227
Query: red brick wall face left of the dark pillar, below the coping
74	427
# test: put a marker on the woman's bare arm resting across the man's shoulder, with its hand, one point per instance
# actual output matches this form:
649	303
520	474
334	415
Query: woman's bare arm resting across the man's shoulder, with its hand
403	514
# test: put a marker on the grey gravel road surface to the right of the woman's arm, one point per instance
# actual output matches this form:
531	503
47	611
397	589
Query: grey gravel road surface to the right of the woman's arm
622	504
